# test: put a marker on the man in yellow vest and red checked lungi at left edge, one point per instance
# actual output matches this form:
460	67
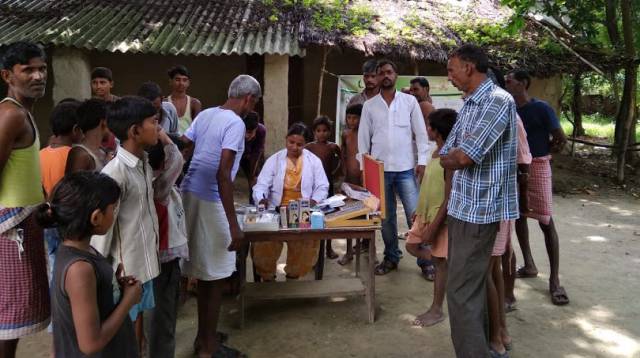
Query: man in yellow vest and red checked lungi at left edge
24	290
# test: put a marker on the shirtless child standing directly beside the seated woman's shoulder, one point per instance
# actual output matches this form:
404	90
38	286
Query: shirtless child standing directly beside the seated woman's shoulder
329	154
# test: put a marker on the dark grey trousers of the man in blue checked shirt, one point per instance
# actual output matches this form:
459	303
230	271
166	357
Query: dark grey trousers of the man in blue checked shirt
470	247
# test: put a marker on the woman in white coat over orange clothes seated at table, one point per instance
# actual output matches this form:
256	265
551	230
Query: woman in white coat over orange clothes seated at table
290	174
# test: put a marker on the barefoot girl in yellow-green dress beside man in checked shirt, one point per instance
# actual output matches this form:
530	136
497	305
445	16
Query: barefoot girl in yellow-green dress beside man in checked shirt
429	224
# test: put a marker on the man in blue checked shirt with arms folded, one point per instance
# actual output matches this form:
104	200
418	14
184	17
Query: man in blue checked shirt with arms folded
482	150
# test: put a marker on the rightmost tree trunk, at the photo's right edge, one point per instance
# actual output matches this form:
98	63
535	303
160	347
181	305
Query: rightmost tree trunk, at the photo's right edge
626	115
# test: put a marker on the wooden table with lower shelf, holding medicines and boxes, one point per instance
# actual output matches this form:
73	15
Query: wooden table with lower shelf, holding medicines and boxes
356	286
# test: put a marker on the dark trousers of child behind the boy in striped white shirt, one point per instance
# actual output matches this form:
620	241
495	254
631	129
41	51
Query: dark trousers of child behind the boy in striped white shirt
160	322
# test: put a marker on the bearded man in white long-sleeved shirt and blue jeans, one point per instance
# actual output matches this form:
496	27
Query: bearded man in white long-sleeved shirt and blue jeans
388	122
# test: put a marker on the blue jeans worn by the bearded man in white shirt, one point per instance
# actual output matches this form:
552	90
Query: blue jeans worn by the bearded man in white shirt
404	184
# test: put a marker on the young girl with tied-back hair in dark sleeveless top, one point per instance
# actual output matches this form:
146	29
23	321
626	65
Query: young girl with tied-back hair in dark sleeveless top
86	320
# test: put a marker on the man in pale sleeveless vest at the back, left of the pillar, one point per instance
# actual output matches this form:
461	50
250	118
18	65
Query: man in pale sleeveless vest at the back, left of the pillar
188	107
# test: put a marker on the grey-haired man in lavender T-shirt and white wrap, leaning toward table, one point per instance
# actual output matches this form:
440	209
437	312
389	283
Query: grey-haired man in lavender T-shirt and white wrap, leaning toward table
217	135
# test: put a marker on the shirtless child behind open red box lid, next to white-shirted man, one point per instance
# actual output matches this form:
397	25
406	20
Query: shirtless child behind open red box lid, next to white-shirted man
350	164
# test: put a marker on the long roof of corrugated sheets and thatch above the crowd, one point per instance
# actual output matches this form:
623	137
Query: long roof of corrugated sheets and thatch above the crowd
418	29
